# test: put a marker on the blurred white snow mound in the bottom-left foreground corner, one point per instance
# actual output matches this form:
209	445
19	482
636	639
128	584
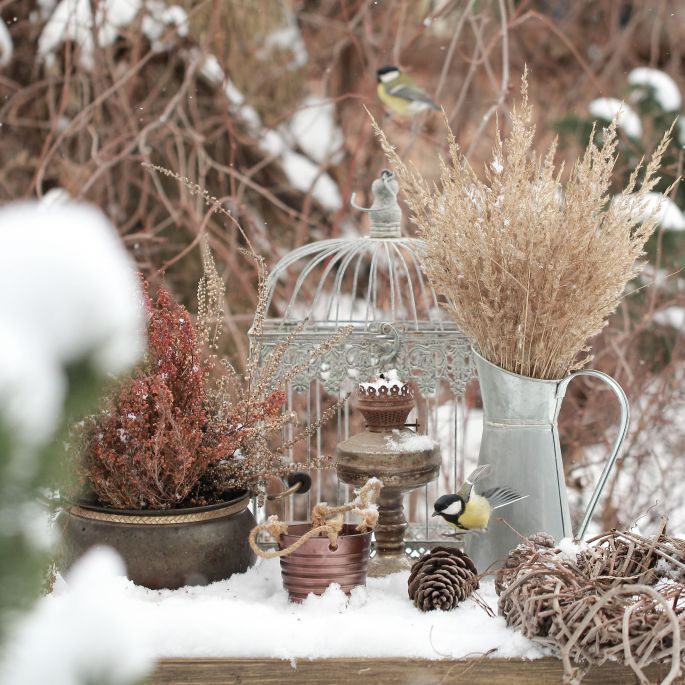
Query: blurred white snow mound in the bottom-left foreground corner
85	632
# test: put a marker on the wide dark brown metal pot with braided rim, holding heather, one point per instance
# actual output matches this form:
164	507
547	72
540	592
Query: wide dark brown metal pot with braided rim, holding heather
165	549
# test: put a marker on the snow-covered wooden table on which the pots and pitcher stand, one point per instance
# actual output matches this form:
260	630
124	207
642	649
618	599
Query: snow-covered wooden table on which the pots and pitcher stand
245	630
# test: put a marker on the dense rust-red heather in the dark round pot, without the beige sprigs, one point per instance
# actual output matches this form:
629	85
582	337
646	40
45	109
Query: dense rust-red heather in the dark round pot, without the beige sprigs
151	444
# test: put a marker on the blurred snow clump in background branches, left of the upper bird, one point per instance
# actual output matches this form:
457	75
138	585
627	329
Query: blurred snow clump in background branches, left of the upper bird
315	131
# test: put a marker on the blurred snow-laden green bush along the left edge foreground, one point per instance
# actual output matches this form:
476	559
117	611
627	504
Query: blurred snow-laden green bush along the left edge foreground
70	314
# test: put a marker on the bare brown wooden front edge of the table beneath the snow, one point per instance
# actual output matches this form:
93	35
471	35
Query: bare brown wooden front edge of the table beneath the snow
483	671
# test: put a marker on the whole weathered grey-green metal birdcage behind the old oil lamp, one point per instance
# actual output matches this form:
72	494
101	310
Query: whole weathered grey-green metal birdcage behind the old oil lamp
375	285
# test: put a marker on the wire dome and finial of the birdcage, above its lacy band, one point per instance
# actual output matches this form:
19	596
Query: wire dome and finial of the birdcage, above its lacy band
361	280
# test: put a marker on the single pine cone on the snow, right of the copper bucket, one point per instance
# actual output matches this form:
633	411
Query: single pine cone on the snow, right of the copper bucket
442	578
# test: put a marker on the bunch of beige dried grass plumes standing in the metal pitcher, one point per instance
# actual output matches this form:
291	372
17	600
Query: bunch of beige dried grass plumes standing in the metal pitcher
531	269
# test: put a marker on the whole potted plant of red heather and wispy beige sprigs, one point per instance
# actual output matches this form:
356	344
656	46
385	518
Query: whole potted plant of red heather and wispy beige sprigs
186	429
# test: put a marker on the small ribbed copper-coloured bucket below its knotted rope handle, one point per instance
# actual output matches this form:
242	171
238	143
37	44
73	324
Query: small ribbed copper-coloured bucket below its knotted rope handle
314	566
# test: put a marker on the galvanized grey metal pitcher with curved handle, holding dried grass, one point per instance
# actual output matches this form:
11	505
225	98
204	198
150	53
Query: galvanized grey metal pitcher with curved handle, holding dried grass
521	443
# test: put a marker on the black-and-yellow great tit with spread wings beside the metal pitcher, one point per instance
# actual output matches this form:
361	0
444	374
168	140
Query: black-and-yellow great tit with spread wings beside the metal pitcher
467	510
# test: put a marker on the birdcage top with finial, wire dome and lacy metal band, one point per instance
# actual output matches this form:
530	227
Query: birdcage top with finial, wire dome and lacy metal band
375	285
